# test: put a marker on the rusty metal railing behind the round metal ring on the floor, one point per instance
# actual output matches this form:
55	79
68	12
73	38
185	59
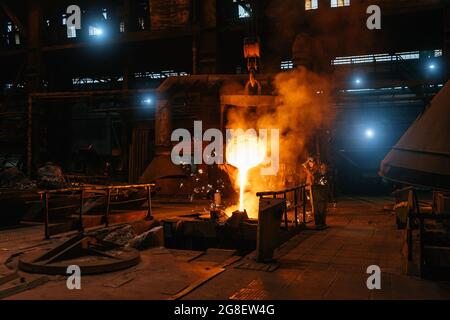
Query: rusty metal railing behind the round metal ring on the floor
45	194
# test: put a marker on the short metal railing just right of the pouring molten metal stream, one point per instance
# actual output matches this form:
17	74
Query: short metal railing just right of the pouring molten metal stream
298	198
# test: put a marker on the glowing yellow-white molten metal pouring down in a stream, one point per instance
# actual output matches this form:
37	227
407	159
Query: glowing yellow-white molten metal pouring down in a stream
245	151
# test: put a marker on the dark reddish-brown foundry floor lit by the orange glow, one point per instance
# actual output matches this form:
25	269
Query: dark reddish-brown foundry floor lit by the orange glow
328	264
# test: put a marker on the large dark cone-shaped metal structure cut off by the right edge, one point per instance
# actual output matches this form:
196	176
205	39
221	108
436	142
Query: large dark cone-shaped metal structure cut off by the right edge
422	155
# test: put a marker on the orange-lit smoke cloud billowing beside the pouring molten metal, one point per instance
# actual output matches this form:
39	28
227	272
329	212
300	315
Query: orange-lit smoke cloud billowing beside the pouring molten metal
303	106
